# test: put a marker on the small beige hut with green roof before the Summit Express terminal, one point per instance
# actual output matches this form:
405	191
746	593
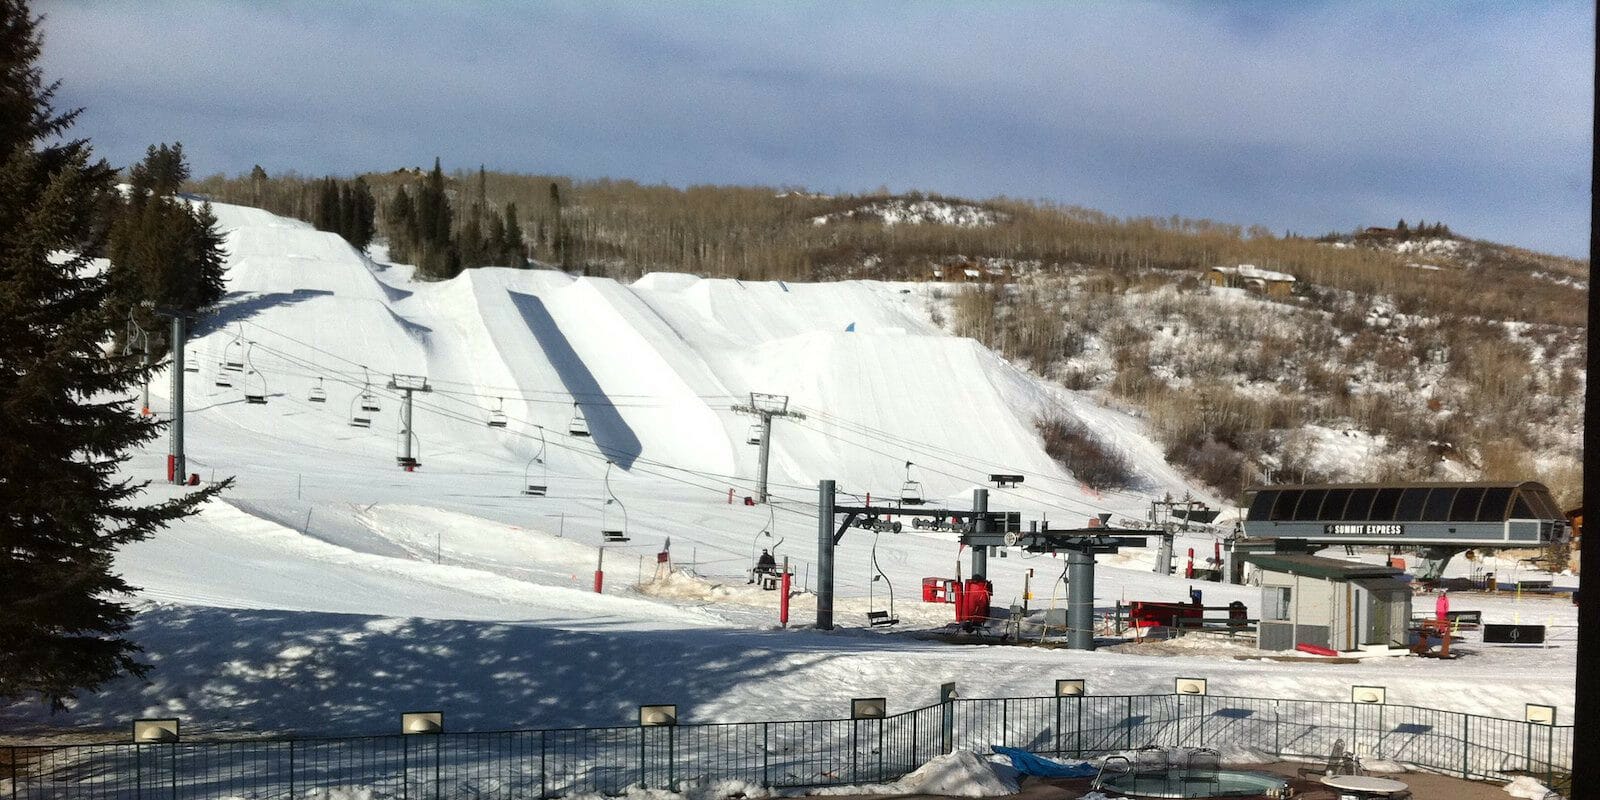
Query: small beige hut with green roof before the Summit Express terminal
1340	606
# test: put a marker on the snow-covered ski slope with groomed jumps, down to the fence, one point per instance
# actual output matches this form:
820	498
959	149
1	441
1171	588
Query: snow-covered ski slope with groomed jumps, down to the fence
332	580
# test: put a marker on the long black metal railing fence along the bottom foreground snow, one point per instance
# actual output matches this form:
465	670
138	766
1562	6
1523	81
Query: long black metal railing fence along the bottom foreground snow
777	754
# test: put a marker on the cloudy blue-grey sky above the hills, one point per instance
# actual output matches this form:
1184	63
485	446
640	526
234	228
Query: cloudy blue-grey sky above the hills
1306	118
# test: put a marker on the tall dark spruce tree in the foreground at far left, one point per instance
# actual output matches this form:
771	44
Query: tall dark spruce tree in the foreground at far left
68	418
